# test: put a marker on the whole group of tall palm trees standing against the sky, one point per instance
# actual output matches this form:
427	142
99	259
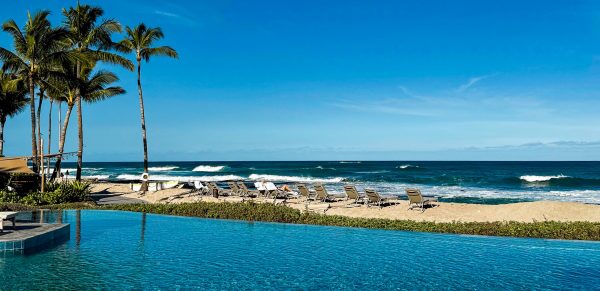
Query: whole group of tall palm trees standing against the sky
60	64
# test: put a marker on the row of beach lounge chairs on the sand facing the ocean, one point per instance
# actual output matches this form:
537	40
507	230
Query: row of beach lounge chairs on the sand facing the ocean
319	194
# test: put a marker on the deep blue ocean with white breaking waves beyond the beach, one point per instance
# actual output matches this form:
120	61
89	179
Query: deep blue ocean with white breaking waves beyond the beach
468	182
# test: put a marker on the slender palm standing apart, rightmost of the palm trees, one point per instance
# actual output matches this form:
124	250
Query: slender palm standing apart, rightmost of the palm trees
140	40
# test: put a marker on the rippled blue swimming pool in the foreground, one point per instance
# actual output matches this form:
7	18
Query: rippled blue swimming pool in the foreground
125	250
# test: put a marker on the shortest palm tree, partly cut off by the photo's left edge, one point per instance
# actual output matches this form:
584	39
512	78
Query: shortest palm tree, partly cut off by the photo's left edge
12	101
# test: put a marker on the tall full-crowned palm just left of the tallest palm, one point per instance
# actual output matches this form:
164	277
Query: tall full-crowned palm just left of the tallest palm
37	46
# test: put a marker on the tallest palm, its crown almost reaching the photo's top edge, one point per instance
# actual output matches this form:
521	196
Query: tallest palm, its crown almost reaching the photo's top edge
93	38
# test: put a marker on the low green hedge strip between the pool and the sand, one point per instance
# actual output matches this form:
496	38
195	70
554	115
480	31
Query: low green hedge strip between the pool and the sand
277	213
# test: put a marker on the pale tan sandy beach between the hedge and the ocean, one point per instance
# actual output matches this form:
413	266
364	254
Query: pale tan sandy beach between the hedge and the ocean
444	212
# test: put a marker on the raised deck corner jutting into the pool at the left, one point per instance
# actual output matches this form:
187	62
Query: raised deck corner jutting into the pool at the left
30	236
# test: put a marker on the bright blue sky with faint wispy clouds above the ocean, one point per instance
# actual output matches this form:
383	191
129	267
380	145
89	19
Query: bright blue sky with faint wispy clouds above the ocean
312	80
